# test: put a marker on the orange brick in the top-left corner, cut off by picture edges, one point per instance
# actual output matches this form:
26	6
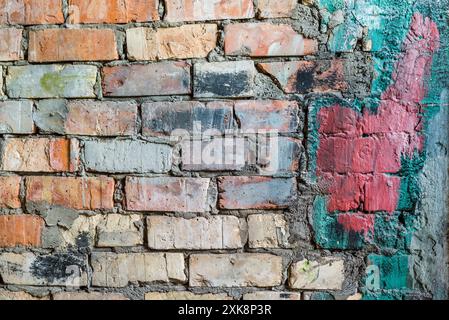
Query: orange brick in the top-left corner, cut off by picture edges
27	12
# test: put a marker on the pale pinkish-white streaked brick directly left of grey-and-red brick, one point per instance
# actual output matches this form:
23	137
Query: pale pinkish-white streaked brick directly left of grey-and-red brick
166	194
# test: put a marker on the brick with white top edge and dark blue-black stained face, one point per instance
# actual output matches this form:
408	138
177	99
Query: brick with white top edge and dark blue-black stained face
224	79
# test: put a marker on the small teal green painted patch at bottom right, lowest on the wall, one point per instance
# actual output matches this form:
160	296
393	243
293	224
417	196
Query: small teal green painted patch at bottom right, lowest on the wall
393	271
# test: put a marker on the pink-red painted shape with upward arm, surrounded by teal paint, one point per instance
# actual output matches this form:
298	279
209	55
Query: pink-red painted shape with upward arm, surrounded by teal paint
352	166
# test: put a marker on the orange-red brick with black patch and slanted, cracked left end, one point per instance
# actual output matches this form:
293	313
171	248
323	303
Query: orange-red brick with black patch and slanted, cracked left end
307	76
